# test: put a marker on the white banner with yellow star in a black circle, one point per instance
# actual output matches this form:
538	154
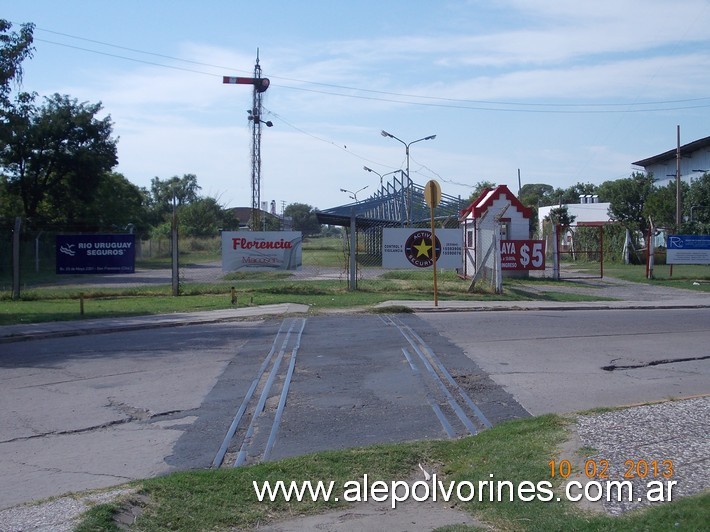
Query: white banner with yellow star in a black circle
412	248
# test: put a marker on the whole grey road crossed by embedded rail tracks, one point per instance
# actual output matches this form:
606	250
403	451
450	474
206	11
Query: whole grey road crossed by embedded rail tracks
94	411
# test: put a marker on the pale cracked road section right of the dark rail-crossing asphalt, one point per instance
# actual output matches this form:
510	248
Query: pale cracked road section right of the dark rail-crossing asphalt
569	361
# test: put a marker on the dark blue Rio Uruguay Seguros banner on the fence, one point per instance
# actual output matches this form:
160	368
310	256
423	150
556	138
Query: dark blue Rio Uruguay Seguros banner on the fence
96	254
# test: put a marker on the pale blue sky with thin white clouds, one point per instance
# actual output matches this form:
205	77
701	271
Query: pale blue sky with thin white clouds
554	92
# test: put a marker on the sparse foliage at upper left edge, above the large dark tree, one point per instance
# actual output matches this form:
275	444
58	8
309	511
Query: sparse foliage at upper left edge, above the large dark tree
14	49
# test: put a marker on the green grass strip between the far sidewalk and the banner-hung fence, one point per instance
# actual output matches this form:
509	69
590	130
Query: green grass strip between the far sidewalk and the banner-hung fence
43	304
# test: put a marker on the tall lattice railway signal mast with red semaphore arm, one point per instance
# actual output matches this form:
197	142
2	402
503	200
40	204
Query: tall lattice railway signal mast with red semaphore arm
260	85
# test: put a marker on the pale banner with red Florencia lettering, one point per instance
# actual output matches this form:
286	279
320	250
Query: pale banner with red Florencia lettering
261	250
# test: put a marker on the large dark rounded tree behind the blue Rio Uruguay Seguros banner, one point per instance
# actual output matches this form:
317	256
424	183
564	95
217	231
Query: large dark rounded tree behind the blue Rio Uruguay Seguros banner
56	154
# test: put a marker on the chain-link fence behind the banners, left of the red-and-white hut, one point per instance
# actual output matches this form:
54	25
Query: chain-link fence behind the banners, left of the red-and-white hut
331	259
